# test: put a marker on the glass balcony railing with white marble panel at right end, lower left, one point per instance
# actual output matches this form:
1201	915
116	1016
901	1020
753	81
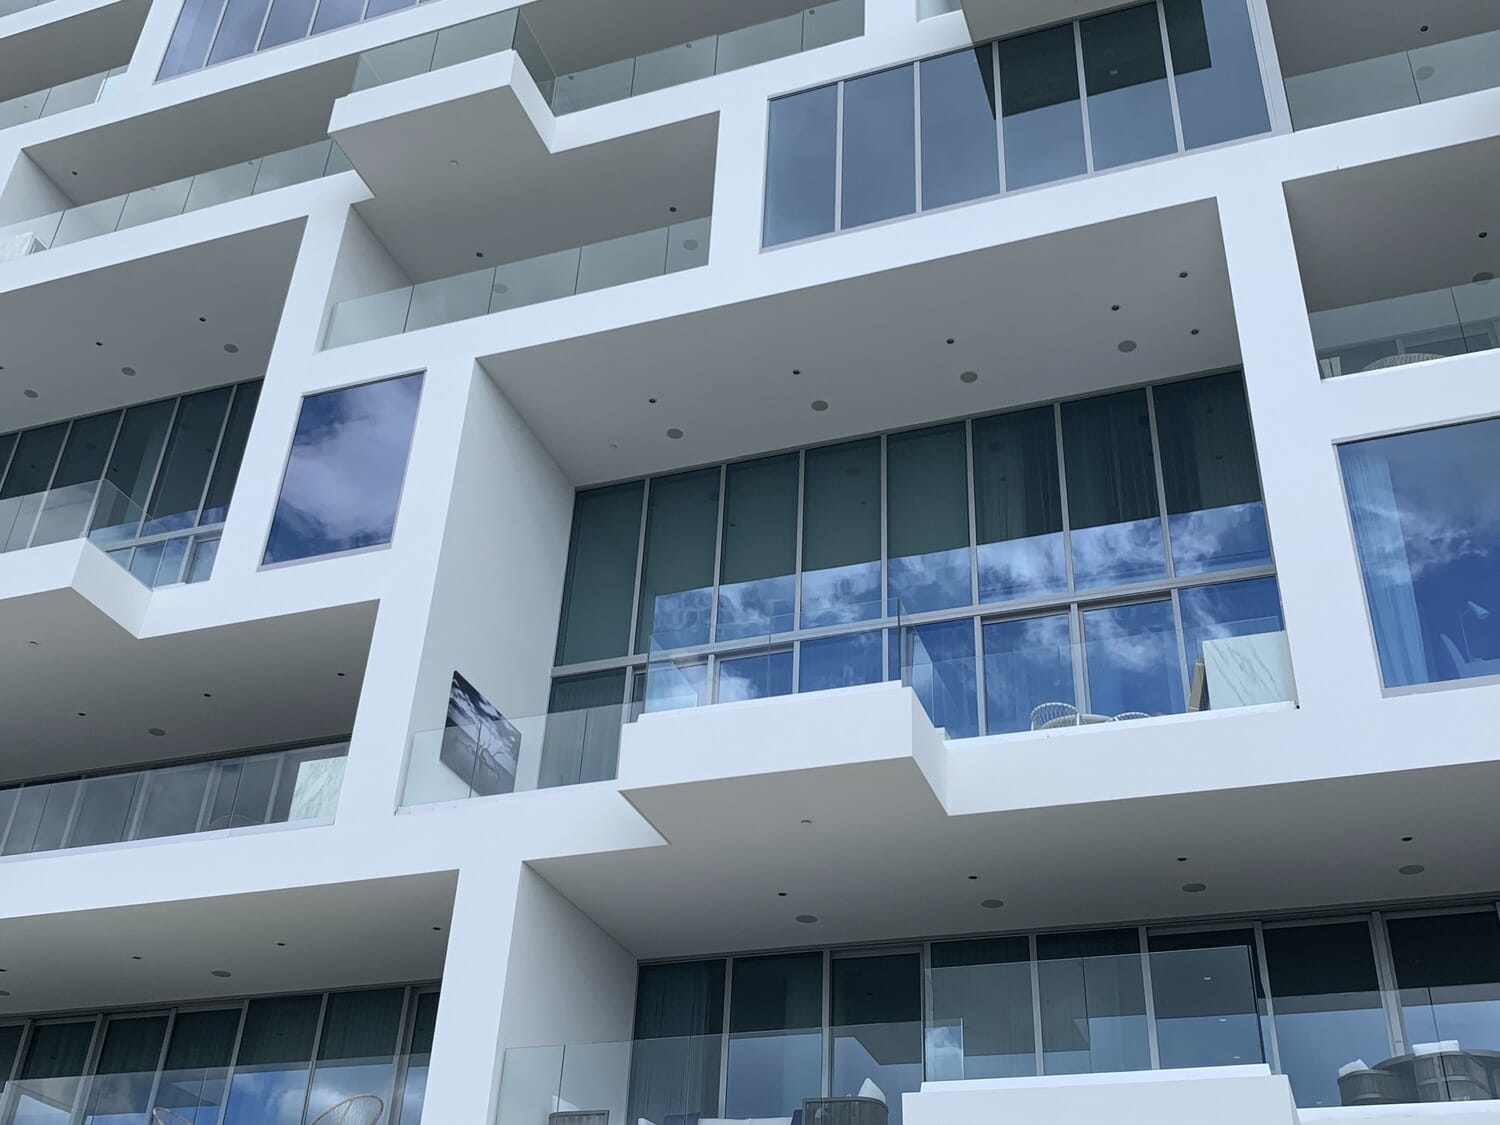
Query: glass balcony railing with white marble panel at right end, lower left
277	787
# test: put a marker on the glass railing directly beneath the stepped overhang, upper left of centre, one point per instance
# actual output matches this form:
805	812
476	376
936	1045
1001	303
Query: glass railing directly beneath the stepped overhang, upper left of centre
581	269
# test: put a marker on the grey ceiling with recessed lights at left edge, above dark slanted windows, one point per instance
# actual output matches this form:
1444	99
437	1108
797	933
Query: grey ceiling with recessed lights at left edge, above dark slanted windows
70	340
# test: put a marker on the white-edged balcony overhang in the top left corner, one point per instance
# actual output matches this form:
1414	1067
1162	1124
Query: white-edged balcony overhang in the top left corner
64	40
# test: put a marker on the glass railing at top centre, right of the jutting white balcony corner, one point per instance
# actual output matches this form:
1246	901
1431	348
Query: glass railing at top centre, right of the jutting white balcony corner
680	64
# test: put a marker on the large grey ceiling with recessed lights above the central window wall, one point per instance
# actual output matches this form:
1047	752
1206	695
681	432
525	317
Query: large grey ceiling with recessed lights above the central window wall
1033	320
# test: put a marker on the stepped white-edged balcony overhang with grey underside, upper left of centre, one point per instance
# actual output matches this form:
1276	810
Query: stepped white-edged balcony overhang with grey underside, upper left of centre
467	170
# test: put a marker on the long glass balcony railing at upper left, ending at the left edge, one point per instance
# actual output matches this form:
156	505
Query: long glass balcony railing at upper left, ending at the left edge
163	202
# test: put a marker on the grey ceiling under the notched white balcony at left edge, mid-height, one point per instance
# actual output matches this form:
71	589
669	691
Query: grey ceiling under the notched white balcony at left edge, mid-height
211	691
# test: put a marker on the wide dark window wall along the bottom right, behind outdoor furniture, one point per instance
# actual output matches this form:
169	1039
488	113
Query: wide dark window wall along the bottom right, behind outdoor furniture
1355	1010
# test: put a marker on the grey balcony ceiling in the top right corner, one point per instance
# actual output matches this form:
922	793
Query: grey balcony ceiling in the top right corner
1315	35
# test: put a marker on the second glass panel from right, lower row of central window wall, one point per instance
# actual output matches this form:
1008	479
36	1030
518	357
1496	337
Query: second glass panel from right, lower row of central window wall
1130	656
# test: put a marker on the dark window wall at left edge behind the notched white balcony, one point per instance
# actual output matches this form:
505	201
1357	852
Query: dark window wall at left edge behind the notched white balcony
149	484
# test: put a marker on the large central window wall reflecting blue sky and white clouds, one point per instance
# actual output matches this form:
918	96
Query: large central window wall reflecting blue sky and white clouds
1102	557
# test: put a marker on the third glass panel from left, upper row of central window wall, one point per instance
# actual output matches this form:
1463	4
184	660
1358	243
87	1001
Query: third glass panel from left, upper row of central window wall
757	577
